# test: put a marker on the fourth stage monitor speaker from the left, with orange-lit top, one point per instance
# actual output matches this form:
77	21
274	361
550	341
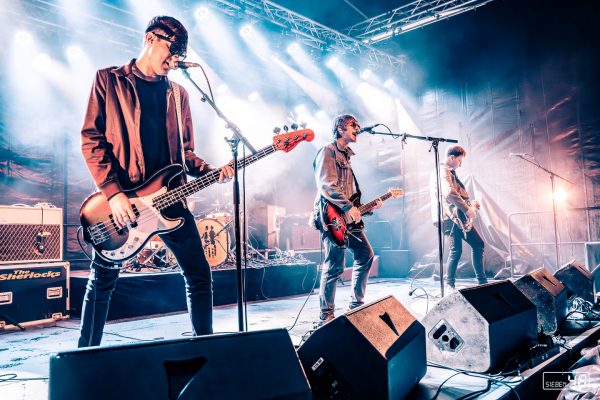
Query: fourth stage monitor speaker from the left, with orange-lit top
549	296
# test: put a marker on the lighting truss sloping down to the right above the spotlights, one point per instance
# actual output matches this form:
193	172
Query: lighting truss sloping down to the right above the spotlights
305	30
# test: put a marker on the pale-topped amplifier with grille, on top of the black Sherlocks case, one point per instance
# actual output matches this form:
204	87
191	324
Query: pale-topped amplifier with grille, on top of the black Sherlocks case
30	234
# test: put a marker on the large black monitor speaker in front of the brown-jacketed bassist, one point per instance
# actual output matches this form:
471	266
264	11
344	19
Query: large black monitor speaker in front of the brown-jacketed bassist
253	365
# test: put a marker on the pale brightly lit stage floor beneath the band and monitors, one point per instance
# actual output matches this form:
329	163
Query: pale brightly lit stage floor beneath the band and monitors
26	353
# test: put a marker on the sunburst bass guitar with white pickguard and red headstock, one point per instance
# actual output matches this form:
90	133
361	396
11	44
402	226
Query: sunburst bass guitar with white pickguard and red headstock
153	201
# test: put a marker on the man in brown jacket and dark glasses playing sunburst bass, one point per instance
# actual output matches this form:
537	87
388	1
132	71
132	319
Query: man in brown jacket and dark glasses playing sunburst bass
137	122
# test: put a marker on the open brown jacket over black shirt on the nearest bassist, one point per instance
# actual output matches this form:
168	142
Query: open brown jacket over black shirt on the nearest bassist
110	137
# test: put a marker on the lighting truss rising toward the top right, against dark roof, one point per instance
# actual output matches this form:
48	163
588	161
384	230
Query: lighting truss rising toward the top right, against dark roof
408	17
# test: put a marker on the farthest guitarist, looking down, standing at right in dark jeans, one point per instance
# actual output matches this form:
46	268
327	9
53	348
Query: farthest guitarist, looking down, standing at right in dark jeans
458	213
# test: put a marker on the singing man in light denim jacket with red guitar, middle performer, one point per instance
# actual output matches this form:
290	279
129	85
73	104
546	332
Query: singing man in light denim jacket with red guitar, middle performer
336	184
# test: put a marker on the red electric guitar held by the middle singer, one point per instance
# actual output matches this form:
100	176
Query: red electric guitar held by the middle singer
336	225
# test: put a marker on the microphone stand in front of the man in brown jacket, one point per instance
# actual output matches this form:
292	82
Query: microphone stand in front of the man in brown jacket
236	138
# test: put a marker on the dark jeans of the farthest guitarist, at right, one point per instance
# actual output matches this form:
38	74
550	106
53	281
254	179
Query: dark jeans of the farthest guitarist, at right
477	250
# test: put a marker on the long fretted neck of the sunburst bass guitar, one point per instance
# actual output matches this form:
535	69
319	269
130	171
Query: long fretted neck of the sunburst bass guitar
176	195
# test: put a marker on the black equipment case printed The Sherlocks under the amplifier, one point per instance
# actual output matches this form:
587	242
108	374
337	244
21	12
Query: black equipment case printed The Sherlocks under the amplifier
33	293
